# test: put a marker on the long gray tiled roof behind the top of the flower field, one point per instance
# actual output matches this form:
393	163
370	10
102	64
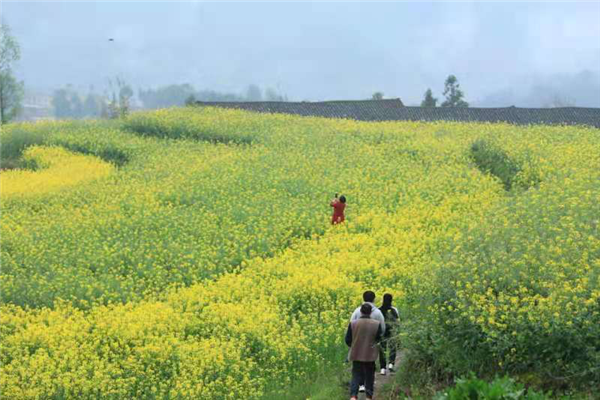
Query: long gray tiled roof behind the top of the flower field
393	110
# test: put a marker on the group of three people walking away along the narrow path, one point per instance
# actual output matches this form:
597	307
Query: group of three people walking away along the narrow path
370	326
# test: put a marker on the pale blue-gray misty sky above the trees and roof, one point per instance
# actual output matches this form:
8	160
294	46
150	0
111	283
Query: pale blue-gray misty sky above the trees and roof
500	52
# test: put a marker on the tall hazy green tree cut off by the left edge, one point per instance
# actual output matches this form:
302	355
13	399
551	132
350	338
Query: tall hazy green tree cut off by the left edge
11	91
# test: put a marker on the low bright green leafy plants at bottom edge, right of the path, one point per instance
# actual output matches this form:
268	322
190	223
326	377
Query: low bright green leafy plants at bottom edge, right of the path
504	388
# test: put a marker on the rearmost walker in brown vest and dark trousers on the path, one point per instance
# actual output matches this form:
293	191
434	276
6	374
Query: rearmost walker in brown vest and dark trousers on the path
362	337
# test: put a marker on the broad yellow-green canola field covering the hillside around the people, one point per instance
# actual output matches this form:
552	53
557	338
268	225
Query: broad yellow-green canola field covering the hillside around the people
206	268
